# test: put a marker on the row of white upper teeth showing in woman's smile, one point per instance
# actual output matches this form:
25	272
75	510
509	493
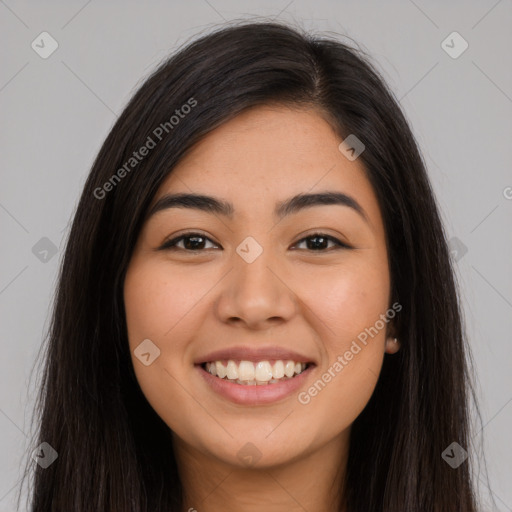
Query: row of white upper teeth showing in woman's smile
261	371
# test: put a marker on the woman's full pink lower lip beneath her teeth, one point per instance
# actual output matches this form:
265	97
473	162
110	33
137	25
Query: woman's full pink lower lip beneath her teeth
257	394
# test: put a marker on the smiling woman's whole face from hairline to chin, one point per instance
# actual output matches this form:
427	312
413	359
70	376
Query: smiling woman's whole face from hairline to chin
307	283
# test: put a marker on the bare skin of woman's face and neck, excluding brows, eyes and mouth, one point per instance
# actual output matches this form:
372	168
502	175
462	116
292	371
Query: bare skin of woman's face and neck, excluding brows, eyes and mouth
314	301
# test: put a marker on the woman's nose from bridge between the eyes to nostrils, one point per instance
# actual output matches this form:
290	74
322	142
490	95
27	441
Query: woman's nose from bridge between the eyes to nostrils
257	294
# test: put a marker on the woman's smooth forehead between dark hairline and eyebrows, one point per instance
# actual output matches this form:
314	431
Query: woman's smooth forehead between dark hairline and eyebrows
265	155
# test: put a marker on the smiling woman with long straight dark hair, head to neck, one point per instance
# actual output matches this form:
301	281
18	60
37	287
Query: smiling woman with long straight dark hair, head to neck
256	308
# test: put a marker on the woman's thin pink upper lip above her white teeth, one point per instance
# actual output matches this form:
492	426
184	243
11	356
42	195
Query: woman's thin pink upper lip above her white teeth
241	353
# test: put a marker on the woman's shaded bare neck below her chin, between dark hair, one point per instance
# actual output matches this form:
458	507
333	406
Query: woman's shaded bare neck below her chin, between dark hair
310	483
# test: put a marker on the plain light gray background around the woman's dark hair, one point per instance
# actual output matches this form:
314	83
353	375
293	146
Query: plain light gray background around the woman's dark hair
57	111
